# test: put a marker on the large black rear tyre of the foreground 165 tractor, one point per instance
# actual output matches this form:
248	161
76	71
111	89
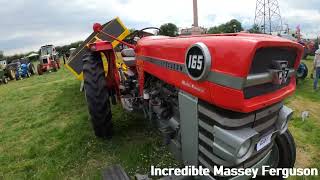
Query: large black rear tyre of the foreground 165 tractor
97	95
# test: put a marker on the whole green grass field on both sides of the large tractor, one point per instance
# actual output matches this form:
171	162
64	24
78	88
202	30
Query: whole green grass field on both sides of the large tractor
45	132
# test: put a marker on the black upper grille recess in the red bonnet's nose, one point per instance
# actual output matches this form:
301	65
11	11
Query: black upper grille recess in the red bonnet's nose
262	62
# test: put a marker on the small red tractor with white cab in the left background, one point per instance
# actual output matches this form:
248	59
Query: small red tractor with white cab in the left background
49	59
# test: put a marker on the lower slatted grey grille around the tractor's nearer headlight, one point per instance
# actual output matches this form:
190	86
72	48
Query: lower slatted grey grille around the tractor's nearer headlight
263	121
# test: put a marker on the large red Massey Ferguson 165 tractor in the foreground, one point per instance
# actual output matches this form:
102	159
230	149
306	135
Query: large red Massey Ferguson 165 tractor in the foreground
217	99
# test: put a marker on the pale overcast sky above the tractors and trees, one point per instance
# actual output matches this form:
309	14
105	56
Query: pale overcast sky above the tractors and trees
25	25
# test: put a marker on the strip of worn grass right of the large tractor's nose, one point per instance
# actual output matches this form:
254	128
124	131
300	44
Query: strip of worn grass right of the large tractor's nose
306	133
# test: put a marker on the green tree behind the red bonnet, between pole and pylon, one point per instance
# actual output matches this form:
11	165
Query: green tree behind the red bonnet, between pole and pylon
229	27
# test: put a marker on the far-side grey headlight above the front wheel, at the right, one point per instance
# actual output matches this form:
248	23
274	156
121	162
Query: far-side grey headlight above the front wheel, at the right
285	115
